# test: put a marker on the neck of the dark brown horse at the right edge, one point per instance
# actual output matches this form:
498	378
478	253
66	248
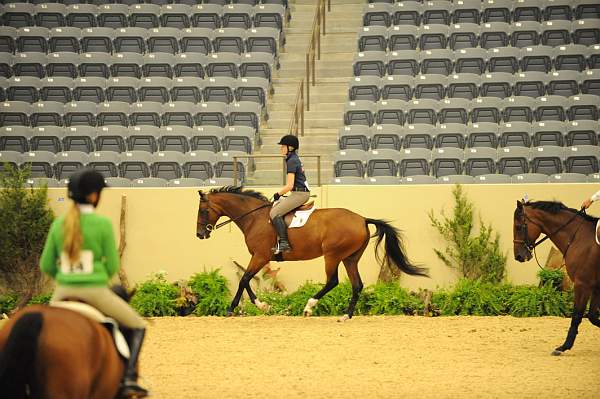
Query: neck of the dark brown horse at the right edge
551	222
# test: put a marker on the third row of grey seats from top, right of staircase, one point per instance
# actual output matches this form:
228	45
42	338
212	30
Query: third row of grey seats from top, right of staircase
477	60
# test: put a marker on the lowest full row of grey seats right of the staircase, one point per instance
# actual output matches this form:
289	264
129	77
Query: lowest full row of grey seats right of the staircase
477	161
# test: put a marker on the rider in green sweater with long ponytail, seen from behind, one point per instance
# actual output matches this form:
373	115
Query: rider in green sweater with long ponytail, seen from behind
80	254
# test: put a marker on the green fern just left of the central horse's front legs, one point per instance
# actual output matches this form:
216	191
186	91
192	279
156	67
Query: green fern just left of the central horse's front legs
213	293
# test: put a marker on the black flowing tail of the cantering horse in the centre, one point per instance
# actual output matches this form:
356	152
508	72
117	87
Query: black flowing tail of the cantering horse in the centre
395	254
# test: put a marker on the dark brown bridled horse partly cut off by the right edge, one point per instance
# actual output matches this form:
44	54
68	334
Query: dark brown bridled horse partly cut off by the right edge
573	233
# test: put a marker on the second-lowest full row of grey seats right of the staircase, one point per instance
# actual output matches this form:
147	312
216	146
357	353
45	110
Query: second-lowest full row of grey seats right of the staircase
512	134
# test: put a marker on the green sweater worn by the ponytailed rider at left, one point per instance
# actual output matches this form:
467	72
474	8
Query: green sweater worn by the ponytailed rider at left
97	237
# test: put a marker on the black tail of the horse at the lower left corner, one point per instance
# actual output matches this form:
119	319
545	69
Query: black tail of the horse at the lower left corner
18	357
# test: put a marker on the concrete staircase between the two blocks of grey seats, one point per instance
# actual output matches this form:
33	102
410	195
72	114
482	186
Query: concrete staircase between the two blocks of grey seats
327	98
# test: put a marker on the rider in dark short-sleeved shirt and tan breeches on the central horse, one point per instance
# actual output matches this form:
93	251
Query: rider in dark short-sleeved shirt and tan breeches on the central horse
296	185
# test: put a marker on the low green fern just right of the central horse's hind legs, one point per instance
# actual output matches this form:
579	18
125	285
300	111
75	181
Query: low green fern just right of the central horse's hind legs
391	299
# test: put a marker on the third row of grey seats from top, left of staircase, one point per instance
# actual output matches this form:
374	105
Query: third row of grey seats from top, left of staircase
104	65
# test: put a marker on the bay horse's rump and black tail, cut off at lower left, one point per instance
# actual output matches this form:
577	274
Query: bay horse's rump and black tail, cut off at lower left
56	353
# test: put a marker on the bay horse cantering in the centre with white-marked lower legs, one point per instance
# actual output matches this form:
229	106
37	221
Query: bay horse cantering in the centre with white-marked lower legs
337	234
